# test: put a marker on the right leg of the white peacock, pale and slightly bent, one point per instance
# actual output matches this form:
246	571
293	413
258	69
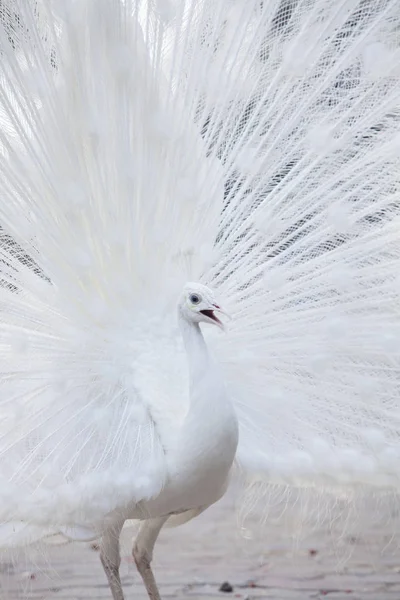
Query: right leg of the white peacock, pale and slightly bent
143	553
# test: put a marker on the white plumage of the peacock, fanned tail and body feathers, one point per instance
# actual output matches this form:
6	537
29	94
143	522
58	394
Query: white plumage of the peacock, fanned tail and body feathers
249	145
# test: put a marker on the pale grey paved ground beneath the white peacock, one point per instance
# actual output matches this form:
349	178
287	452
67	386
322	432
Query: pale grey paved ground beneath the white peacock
281	561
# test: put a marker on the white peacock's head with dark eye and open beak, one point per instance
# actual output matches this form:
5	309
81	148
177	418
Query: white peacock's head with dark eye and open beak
198	305
